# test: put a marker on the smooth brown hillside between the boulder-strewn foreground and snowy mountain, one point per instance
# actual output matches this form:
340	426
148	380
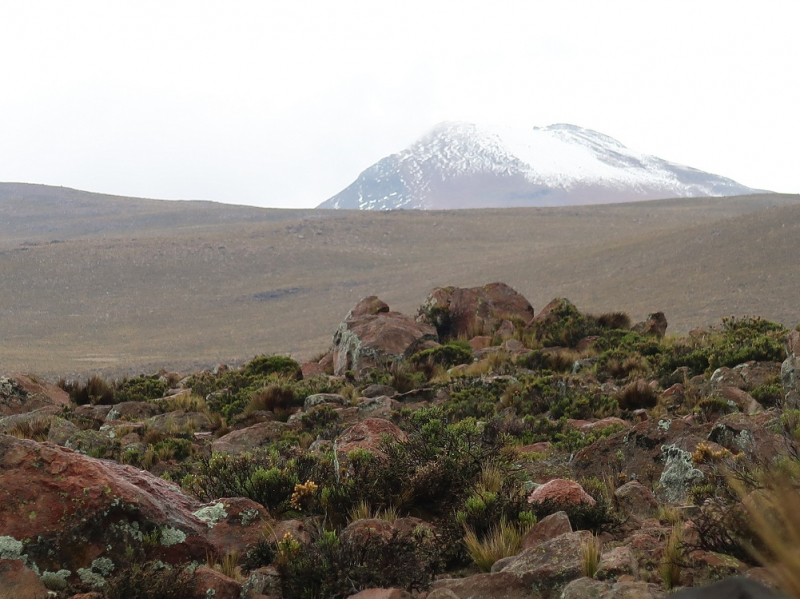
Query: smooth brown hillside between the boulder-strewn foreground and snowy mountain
198	289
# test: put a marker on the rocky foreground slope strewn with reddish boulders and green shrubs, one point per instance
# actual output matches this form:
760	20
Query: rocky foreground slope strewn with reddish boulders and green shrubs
477	447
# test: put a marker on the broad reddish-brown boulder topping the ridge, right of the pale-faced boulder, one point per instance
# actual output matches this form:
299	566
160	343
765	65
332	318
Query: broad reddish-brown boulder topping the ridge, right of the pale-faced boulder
474	310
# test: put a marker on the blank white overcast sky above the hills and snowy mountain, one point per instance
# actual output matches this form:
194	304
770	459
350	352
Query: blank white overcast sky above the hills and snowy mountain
284	103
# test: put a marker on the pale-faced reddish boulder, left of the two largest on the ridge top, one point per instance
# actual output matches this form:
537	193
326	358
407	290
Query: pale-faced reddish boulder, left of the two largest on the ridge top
372	335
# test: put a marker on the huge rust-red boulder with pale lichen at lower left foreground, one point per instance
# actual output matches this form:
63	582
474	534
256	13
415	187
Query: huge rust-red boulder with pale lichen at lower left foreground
69	509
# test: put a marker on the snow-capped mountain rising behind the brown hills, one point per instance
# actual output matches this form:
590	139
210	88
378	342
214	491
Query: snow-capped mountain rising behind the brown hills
462	165
